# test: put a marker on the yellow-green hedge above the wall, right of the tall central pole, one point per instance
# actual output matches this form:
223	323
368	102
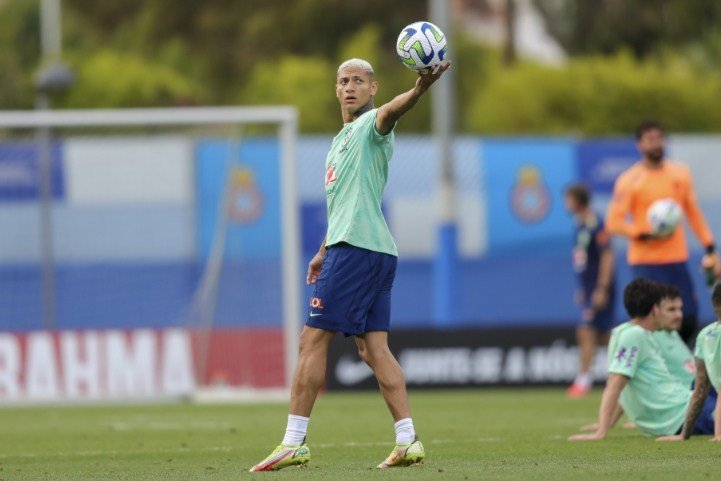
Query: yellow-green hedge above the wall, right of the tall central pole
597	95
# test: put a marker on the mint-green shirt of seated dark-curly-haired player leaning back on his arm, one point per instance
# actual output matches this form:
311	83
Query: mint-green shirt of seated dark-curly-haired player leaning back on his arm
653	398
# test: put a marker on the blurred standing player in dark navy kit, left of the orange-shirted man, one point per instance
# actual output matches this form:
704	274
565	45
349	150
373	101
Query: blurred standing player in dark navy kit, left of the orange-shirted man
593	261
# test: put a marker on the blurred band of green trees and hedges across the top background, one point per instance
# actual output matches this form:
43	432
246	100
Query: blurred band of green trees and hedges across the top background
630	59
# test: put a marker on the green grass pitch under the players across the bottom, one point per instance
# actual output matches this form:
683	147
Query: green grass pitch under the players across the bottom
511	434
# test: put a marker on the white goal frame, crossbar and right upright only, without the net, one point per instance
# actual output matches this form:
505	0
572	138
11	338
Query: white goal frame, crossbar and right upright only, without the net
286	117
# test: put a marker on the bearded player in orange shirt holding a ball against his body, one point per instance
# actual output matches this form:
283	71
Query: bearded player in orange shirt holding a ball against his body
663	259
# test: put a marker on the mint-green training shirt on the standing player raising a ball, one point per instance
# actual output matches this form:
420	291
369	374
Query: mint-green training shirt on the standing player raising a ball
356	175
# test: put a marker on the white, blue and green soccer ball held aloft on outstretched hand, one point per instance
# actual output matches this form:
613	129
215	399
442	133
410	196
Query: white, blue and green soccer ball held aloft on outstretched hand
421	46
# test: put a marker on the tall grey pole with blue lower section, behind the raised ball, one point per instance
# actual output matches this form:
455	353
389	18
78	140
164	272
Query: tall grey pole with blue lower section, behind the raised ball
443	103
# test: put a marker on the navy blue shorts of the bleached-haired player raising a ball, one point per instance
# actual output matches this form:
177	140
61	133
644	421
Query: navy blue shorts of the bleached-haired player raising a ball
353	292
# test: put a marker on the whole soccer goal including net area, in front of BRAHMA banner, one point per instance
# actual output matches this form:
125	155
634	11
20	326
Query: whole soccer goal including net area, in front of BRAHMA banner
157	250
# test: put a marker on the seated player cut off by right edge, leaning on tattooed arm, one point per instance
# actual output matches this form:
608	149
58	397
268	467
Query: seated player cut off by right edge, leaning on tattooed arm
708	377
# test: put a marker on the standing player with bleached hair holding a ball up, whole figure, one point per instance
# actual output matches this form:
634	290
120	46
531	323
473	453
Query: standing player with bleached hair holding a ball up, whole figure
354	269
